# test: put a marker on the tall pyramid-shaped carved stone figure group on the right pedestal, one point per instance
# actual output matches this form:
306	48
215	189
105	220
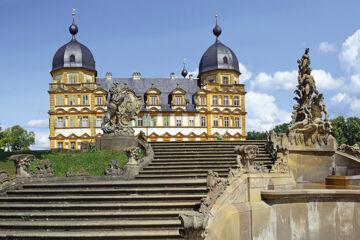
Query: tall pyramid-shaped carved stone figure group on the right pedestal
307	125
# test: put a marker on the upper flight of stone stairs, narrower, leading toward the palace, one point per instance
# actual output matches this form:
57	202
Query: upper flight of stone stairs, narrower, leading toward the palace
193	159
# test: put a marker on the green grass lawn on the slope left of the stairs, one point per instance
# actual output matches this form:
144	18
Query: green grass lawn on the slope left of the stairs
95	162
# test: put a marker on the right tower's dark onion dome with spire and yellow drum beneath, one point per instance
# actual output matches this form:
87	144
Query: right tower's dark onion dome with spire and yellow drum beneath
218	58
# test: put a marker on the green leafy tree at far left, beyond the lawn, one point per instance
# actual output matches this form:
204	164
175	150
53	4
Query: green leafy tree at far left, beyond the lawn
16	138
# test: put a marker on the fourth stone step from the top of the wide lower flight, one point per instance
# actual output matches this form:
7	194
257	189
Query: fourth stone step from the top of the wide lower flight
102	206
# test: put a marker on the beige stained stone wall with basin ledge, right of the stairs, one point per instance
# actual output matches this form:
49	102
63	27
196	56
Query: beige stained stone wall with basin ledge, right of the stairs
248	211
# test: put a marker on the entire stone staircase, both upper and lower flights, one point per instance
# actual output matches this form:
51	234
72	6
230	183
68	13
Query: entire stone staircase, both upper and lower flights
145	208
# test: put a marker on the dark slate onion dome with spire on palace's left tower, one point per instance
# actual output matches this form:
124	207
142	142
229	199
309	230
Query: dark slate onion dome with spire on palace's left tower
73	54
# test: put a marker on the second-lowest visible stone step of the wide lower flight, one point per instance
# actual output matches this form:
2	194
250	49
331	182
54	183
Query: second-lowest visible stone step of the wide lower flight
90	224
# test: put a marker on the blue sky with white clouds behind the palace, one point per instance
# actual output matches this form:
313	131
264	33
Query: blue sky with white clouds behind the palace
153	37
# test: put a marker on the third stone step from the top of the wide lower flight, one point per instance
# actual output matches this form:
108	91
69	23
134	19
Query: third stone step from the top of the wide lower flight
127	198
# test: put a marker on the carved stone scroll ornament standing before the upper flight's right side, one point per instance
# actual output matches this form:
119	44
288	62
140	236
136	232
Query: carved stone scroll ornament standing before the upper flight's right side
246	156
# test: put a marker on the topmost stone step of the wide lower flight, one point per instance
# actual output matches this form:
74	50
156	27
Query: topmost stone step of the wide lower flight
117	184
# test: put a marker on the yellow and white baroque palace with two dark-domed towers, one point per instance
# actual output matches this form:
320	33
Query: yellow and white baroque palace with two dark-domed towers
176	109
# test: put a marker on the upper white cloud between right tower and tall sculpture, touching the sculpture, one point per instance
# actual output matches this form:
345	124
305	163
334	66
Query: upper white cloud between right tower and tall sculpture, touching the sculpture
285	80
